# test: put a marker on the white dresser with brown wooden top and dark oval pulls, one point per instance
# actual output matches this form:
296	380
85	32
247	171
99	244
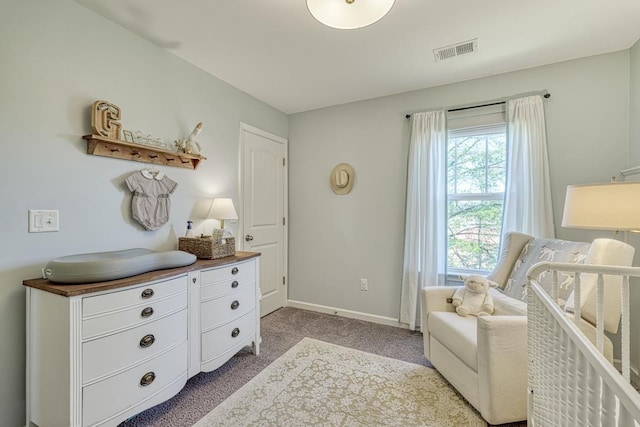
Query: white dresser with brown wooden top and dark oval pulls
100	353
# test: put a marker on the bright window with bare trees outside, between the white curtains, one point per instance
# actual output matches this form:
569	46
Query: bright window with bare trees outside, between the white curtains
476	173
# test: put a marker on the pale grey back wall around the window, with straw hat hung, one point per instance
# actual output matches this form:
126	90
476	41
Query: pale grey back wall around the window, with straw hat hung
335	240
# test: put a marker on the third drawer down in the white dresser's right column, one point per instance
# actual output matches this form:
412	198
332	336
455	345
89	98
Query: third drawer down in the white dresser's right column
217	311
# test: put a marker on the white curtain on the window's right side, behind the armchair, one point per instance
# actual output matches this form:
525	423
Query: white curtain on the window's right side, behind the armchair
527	207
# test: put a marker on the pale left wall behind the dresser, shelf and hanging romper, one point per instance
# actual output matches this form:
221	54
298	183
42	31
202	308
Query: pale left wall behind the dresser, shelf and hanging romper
56	59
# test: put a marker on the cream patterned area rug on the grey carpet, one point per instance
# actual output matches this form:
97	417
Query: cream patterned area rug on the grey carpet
321	384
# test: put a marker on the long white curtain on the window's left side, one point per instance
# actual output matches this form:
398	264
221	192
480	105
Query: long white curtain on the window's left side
425	225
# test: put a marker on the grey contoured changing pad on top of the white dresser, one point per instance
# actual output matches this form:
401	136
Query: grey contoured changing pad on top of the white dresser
101	266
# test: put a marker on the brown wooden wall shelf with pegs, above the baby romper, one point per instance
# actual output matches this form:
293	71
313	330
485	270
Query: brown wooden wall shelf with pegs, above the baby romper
107	147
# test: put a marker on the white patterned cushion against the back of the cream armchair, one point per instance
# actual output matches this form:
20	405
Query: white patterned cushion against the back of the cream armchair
538	250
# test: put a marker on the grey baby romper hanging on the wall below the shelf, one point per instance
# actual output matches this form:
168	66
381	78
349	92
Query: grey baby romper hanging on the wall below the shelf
150	205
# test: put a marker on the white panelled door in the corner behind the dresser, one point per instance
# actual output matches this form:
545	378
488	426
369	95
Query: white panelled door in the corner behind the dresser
264	208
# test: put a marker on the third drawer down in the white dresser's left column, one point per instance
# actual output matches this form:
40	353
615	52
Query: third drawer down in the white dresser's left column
118	351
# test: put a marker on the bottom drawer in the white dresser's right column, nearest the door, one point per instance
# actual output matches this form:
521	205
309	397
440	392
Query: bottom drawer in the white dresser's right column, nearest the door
223	338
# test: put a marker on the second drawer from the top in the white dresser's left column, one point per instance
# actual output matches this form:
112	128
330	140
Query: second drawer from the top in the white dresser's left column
108	323
